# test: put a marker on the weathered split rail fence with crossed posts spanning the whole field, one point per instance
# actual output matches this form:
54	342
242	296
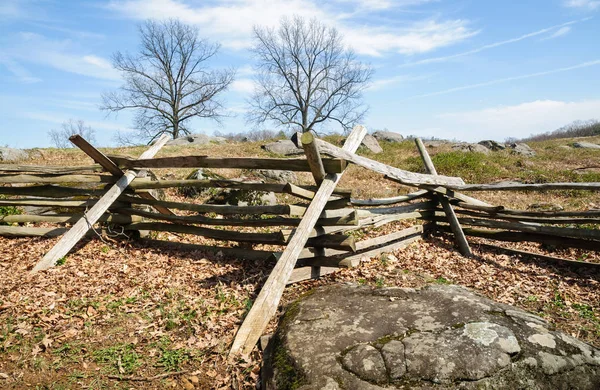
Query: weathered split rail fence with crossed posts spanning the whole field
314	232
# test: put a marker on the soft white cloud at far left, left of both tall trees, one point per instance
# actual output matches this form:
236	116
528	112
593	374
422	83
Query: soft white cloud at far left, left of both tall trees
59	54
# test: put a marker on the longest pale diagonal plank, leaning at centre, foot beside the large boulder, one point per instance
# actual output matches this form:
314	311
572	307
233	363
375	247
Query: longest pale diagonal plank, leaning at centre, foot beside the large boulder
266	303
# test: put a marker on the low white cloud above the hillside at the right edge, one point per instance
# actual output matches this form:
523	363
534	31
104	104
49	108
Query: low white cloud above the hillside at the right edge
518	120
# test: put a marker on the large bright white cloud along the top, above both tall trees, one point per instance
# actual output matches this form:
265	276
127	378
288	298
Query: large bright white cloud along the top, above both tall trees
231	22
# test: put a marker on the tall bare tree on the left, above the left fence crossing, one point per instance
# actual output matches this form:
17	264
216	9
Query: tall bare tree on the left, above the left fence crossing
168	82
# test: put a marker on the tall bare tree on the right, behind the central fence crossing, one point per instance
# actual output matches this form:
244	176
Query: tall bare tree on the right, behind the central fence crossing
306	76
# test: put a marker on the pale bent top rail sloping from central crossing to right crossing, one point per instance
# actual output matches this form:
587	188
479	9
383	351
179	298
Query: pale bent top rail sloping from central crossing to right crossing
402	176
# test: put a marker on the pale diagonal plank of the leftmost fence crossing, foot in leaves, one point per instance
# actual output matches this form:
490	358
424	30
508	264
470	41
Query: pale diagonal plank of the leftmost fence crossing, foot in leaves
78	230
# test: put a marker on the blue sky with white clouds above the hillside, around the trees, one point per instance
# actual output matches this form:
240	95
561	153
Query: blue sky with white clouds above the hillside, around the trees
467	70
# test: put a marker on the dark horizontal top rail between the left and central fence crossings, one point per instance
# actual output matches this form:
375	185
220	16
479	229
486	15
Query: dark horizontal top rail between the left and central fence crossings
286	164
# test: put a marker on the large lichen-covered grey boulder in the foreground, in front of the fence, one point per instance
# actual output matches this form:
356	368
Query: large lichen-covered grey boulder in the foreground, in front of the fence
436	337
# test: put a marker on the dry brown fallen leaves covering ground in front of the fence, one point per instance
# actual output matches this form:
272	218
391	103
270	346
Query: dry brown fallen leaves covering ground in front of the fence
121	308
